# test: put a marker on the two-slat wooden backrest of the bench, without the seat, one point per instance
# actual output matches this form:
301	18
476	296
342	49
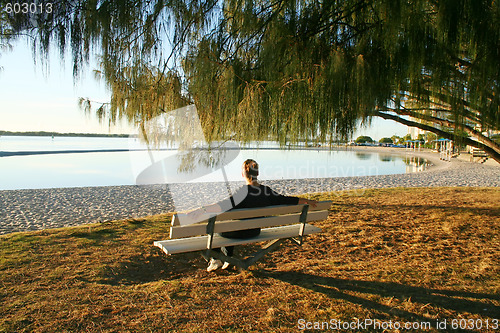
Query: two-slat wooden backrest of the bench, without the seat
240	219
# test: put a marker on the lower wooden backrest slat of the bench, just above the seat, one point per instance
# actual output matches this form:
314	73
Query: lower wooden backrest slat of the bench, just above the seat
224	226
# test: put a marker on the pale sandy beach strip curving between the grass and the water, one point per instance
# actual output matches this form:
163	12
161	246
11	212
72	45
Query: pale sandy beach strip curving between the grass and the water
23	210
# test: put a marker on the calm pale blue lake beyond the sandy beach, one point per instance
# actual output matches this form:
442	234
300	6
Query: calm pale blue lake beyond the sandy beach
69	164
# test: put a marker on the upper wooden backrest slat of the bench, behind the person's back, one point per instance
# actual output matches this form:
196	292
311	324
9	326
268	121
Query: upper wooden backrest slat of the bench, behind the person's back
245	213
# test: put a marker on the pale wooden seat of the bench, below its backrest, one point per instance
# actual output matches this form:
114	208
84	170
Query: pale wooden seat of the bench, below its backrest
172	246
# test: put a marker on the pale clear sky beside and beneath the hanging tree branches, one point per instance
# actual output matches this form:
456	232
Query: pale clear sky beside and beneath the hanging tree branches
34	99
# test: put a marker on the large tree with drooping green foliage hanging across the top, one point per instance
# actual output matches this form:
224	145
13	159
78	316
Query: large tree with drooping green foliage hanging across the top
291	70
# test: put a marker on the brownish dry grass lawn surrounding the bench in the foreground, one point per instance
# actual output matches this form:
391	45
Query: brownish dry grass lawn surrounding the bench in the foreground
401	254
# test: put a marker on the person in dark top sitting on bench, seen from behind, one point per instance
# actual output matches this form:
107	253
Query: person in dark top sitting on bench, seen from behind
253	195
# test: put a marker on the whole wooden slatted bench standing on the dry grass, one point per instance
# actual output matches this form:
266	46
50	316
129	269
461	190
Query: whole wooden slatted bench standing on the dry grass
278	224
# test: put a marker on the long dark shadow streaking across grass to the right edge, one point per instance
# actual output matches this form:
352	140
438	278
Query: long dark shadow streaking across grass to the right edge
459	301
